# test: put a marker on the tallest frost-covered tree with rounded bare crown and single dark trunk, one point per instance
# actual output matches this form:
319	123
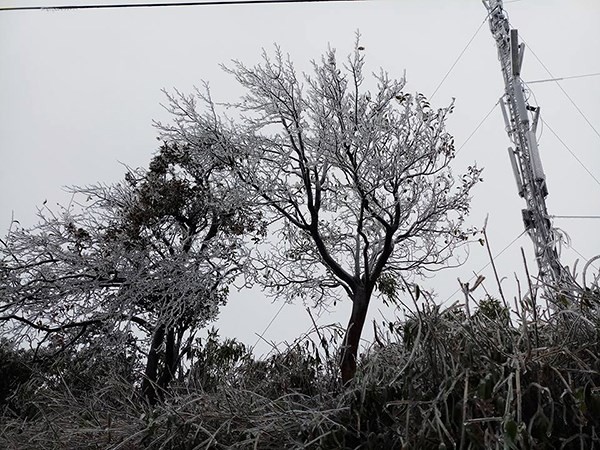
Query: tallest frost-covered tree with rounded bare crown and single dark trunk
357	182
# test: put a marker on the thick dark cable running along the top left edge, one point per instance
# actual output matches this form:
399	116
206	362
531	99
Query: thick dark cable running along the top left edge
164	4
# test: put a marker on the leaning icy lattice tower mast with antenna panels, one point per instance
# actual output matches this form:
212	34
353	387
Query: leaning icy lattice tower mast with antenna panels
521	121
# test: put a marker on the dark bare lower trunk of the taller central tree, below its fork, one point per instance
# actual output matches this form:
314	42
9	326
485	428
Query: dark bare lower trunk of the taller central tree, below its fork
360	305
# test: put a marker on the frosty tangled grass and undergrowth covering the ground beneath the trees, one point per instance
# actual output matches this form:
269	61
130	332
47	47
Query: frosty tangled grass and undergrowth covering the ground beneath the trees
440	378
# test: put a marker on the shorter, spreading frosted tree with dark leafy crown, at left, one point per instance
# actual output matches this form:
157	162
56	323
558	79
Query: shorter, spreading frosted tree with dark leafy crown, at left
151	256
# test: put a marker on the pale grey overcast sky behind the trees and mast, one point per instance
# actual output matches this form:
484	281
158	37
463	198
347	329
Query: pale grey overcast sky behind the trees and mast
79	90
